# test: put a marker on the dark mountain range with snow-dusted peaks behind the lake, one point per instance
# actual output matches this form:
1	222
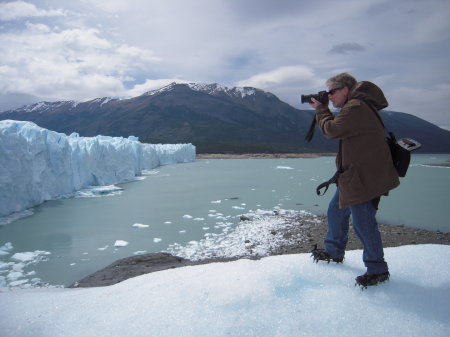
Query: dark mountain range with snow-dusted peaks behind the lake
215	118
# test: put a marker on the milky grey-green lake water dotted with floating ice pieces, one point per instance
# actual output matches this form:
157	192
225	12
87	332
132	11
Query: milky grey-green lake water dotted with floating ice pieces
184	202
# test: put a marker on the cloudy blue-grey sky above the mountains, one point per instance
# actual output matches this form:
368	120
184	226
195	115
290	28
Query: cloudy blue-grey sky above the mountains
53	50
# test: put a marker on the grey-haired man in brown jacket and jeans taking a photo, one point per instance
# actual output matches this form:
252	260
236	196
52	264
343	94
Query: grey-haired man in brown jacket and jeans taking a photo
366	172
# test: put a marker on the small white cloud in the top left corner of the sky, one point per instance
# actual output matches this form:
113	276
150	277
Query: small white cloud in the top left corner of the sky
19	9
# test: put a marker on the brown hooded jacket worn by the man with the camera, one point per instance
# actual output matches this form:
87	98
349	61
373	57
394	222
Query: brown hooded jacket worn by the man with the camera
368	171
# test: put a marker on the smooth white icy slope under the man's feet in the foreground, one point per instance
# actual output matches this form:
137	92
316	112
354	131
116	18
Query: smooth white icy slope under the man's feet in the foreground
276	296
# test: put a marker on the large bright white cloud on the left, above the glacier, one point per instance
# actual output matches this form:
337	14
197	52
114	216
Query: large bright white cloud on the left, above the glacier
77	63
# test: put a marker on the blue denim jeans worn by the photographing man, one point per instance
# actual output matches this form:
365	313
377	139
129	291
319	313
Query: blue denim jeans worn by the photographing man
366	227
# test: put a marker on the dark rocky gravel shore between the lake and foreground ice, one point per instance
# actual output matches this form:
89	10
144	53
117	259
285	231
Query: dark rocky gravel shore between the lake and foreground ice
299	235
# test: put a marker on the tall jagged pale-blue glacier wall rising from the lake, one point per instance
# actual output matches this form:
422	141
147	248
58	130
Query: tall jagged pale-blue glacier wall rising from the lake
37	164
